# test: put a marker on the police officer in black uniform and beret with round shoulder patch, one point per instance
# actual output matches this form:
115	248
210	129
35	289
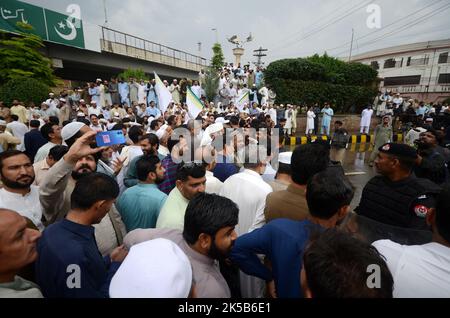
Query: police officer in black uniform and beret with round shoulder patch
397	197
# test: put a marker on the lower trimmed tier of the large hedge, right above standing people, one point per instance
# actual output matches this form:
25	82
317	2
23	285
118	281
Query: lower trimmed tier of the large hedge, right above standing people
342	97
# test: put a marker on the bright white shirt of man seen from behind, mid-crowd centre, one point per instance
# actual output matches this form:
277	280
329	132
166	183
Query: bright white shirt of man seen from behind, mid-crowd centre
249	191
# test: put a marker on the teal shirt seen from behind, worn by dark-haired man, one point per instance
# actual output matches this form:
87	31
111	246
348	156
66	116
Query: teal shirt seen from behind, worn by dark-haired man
139	206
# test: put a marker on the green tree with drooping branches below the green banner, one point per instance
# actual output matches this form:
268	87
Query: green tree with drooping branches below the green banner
20	57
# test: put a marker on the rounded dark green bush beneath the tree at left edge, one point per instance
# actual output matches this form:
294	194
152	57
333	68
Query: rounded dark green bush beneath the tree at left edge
25	90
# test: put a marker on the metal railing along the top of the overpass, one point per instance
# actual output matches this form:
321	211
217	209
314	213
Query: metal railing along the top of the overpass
125	44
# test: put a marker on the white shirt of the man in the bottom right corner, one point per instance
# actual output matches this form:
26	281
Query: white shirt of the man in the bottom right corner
421	271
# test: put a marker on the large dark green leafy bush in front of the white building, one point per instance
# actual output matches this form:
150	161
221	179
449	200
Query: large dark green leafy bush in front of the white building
322	79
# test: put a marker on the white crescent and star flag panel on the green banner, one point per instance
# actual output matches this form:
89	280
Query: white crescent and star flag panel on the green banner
64	29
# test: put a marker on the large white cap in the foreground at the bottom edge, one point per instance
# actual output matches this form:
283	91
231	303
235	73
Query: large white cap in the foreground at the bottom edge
154	269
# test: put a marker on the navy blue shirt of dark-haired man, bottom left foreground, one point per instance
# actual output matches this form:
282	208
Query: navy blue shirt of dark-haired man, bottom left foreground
63	246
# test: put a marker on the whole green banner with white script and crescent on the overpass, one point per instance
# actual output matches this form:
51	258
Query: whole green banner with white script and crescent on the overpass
47	24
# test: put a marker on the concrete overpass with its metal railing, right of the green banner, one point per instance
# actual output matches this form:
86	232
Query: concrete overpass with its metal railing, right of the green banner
120	51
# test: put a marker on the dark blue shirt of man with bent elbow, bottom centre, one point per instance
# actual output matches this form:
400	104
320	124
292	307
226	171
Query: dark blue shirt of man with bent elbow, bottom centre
283	242
